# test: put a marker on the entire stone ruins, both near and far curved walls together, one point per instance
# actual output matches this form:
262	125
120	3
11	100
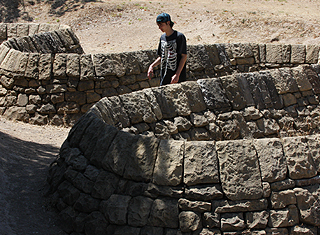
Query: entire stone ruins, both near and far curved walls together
234	150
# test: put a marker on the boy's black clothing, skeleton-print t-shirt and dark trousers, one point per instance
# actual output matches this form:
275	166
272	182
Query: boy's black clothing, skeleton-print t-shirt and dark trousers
170	50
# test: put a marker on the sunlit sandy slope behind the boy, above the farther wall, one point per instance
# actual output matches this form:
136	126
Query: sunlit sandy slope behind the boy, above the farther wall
115	26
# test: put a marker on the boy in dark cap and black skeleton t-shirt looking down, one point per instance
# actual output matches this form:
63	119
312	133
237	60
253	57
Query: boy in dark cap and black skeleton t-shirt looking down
172	52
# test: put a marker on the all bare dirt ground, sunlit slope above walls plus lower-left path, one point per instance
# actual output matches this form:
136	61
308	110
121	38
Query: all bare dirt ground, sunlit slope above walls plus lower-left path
116	26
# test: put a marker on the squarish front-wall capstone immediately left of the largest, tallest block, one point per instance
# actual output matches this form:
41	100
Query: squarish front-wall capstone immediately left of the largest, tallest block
200	163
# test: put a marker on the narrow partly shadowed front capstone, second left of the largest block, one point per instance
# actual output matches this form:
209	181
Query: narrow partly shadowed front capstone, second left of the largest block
169	163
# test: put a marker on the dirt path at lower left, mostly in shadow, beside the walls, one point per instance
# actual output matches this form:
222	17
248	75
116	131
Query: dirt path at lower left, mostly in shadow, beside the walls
26	151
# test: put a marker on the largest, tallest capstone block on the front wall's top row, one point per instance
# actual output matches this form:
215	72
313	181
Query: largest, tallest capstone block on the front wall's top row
239	170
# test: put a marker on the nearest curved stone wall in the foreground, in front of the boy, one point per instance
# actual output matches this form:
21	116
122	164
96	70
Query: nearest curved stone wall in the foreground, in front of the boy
230	155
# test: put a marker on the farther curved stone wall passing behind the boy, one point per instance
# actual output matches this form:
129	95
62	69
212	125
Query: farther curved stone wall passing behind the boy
47	79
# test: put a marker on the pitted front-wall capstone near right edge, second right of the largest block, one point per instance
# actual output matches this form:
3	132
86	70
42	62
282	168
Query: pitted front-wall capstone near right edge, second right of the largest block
299	160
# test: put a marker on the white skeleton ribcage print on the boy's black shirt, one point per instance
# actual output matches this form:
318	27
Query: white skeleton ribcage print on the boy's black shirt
169	56
